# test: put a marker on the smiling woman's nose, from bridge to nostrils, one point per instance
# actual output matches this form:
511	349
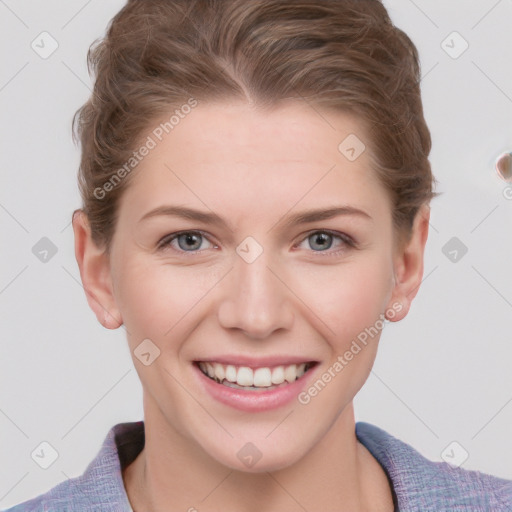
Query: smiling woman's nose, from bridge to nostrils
255	300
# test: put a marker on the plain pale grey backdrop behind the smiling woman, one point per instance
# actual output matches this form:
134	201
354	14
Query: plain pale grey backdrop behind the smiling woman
442	375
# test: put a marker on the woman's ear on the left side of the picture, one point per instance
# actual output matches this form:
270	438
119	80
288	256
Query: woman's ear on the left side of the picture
94	265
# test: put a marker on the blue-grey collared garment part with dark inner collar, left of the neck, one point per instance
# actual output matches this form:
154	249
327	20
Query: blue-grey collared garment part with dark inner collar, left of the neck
100	487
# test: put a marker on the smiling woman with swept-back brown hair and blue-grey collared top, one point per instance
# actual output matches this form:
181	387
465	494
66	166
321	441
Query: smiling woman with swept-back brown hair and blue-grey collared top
256	188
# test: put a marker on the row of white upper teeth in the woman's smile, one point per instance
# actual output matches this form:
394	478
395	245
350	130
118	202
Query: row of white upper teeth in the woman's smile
257	377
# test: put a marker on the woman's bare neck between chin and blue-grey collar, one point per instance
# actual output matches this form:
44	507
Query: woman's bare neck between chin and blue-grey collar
174	473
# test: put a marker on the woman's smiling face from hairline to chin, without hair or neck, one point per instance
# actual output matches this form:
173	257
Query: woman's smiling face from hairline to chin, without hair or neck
249	246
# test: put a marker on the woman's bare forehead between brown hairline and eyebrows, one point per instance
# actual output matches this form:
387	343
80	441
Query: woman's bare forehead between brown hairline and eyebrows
245	161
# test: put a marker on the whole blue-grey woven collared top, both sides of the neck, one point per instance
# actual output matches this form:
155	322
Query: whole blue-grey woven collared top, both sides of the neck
419	484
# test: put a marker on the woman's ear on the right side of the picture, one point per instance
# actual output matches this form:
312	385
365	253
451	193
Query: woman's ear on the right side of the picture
408	266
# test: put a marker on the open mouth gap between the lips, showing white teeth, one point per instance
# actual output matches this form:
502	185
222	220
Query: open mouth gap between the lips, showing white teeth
254	378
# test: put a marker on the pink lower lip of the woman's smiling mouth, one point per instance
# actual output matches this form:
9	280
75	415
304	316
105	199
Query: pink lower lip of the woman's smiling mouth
254	401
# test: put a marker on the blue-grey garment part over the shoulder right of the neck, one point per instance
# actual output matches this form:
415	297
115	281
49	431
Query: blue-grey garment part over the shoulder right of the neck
422	484
